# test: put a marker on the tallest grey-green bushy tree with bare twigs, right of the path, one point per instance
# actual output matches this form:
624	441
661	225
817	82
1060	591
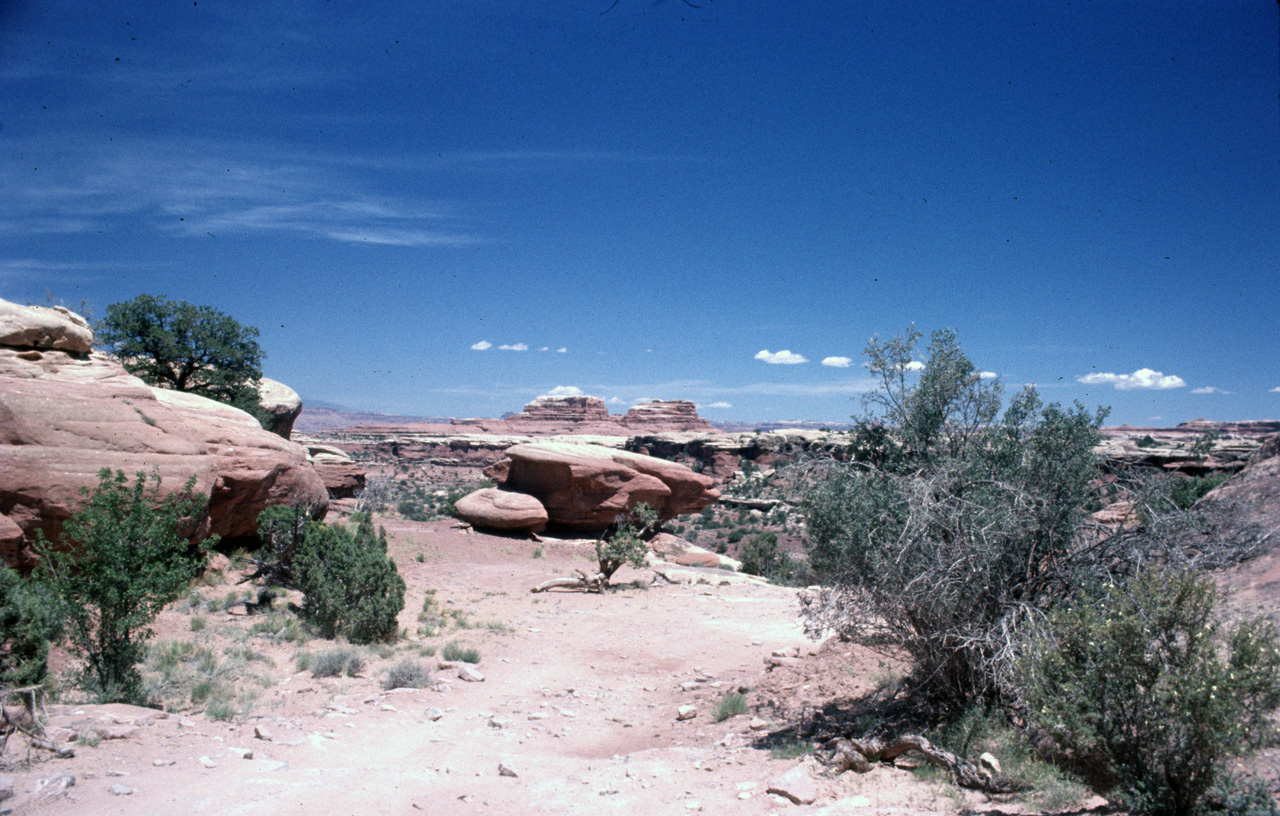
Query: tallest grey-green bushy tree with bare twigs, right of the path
954	522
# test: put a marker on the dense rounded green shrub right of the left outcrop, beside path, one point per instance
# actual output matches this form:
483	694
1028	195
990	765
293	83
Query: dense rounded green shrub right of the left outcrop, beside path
351	586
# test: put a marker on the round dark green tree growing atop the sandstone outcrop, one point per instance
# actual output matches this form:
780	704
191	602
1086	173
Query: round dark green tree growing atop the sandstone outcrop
188	349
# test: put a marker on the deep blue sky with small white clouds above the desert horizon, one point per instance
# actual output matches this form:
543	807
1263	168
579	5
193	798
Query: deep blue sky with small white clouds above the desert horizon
638	204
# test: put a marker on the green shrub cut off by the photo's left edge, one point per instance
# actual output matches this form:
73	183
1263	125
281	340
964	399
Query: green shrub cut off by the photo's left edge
29	624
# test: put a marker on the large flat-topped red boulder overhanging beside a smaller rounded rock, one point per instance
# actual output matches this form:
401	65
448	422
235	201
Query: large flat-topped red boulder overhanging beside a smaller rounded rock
587	487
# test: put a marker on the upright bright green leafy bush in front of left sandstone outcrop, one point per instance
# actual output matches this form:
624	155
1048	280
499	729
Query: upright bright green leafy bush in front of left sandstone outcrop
124	557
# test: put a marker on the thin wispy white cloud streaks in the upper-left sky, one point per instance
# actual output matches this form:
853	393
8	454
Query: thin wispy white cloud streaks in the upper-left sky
222	190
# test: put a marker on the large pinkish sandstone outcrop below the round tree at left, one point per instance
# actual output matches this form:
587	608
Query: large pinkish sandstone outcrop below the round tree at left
67	415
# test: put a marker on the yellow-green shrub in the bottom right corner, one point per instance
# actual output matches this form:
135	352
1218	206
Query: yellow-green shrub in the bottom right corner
1151	681
